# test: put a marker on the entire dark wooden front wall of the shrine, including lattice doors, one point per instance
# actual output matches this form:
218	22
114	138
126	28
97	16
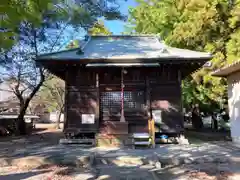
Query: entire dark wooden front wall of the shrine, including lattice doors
97	91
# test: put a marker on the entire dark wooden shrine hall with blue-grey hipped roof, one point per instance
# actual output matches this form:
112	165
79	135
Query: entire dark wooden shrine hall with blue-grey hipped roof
115	84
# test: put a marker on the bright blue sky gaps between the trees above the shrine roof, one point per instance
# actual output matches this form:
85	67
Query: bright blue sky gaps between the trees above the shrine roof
116	27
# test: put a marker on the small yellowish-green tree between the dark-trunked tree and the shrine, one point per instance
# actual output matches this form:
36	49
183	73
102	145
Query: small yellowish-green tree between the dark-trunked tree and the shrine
53	94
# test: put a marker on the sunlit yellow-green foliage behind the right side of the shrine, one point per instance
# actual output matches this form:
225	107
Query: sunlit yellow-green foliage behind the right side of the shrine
203	25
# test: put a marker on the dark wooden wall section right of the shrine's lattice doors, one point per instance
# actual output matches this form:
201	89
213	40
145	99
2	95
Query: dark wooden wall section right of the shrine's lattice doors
165	95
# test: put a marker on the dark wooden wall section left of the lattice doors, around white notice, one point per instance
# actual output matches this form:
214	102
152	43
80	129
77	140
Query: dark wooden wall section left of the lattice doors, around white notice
81	98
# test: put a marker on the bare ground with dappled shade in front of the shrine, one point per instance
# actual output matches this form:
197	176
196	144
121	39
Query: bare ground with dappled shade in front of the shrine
31	158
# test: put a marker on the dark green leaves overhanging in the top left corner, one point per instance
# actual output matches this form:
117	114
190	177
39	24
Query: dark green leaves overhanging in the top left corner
14	12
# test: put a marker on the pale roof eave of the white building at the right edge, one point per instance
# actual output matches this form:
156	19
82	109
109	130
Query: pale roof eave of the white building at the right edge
227	70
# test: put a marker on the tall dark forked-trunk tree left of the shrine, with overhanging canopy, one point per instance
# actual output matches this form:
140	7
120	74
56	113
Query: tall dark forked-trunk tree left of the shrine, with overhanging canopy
43	26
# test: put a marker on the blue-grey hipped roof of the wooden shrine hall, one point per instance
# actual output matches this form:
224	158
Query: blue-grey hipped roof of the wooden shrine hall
125	47
